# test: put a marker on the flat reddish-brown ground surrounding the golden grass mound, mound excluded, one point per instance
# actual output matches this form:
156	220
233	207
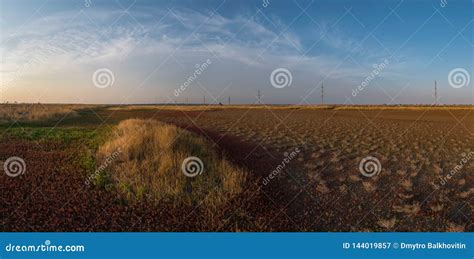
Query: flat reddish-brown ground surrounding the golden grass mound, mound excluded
315	153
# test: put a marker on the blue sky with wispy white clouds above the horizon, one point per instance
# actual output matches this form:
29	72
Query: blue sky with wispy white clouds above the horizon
139	51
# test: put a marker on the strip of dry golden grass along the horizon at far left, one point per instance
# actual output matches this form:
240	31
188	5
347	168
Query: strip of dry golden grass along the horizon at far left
35	112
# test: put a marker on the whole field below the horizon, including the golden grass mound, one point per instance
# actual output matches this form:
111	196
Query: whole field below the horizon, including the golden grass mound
277	168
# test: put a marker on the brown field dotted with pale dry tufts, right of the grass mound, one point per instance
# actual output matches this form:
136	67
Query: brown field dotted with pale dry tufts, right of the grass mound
416	148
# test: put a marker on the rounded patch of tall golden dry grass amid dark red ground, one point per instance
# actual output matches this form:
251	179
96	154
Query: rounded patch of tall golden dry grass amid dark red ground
149	163
